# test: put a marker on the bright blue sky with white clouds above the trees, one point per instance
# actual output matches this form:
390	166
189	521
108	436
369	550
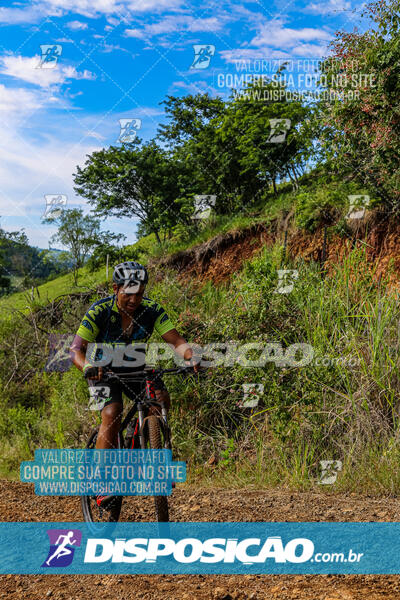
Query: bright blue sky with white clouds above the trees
119	59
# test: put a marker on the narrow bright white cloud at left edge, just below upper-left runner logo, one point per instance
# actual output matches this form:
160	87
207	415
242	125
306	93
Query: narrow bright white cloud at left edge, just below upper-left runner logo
27	69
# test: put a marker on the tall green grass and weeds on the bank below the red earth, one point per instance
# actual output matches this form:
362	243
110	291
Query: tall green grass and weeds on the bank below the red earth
330	410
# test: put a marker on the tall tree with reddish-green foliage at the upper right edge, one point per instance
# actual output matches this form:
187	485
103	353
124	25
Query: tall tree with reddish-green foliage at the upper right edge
362	133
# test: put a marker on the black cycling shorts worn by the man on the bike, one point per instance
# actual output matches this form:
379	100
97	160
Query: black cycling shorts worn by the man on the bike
103	393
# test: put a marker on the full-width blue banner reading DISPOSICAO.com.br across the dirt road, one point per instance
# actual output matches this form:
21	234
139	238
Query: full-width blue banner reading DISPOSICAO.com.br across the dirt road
200	548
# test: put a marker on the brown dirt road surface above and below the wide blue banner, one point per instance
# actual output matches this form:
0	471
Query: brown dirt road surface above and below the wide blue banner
19	503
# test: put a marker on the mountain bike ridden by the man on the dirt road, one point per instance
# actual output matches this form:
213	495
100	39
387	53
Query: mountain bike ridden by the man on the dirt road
141	432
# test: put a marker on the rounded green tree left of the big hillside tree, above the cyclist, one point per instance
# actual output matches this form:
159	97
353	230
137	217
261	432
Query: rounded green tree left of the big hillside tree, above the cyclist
145	182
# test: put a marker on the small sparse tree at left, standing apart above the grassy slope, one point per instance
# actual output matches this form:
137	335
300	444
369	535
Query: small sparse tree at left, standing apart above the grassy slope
80	234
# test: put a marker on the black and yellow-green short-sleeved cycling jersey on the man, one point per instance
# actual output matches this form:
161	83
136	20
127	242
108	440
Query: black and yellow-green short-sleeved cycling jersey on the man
102	324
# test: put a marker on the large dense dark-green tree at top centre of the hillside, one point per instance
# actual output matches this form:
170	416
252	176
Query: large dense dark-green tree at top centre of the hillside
226	144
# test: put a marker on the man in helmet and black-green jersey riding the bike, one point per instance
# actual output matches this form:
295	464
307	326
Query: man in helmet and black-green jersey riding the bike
114	326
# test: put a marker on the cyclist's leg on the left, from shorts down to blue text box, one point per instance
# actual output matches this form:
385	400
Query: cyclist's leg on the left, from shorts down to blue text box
107	399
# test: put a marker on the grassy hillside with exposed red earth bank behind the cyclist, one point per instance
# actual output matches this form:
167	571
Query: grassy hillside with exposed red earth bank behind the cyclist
220	286
